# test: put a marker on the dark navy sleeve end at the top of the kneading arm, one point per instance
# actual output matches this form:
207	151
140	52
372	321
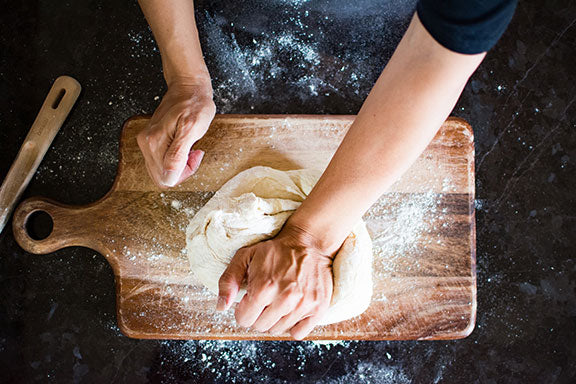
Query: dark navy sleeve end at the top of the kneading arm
466	26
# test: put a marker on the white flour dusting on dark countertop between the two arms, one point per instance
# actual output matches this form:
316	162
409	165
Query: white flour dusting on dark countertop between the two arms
289	53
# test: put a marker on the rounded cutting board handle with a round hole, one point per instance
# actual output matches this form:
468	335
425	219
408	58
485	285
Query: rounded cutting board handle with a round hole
64	231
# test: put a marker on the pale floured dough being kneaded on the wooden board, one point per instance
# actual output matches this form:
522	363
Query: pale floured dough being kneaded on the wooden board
253	206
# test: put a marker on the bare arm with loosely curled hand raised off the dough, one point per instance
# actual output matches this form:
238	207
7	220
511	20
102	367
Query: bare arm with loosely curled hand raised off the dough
187	109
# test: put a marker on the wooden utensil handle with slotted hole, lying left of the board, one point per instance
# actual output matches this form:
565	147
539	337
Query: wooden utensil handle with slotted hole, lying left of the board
56	107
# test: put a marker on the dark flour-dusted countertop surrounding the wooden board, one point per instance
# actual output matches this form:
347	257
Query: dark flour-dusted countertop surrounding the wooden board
57	311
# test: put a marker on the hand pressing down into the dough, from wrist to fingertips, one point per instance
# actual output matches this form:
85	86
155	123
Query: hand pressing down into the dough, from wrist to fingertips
289	284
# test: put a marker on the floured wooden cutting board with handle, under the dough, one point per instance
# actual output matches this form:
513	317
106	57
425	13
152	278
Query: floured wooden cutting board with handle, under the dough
423	231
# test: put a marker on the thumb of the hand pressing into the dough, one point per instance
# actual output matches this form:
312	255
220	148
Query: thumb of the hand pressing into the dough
231	279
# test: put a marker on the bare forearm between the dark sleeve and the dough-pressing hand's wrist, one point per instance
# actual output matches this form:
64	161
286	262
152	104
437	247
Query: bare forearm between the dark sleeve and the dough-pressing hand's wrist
408	104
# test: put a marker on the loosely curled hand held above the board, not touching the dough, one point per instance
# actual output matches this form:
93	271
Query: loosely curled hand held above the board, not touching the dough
182	118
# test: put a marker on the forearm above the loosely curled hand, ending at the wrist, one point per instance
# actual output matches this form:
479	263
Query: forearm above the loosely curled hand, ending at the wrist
174	28
